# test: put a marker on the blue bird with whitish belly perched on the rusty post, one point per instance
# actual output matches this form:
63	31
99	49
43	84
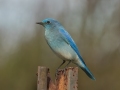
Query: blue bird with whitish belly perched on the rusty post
63	45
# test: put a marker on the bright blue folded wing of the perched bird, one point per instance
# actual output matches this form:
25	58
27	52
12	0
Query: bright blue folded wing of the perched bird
66	37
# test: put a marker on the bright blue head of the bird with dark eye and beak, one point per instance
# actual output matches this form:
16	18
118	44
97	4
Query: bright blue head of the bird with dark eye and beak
49	23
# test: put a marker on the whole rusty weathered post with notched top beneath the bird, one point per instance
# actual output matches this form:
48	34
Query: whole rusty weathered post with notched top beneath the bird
66	79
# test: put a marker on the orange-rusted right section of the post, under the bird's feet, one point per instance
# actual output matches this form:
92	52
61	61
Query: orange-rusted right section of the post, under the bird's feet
67	79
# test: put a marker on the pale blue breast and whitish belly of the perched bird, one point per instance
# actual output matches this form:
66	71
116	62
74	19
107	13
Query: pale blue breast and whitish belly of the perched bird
60	47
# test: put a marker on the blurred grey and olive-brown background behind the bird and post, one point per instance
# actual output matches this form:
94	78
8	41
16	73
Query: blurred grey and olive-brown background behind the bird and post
93	24
